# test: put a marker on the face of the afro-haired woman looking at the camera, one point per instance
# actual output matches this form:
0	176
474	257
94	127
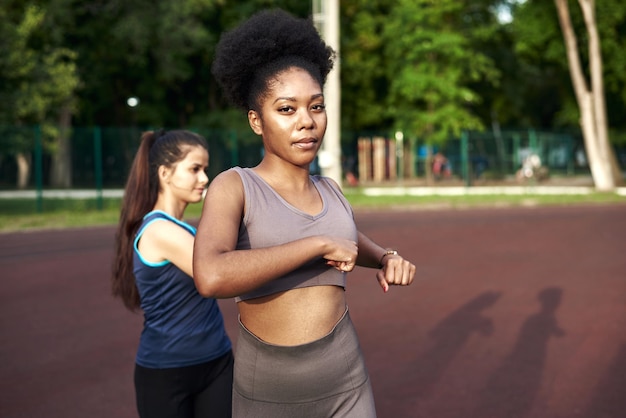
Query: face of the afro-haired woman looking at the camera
292	120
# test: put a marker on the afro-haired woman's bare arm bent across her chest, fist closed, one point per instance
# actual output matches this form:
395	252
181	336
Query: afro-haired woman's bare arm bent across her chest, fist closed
222	271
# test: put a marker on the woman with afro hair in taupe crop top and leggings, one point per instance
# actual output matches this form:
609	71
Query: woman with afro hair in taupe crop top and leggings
280	240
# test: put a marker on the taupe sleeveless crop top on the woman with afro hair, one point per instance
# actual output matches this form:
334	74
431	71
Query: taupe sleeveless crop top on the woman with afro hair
269	220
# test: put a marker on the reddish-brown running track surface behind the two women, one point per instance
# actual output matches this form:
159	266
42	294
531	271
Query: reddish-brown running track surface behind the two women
515	313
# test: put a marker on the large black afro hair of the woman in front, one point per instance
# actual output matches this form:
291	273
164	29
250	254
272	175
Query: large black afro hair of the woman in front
269	42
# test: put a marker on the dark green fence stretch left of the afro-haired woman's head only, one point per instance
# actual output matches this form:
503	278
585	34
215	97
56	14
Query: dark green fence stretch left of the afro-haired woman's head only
100	157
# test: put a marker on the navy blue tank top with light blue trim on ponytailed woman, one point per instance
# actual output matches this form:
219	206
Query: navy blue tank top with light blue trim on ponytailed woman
181	328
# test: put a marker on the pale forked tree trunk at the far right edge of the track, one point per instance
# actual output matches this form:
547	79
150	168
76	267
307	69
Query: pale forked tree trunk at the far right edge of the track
590	100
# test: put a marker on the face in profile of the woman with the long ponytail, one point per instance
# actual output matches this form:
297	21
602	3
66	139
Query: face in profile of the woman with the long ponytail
187	180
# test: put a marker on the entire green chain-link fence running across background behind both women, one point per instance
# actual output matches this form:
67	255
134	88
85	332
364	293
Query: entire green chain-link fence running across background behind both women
100	157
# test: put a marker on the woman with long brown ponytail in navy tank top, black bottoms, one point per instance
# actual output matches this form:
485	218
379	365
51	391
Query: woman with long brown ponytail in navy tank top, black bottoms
184	362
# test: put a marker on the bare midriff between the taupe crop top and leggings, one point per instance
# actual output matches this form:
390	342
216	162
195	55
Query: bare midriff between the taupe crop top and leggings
294	317
